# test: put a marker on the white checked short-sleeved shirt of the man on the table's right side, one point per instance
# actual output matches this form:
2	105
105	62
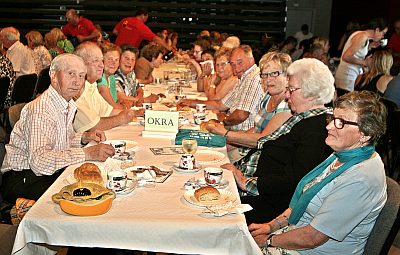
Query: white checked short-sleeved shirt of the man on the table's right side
246	96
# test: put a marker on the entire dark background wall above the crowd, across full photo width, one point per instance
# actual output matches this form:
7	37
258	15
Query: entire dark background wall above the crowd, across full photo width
245	18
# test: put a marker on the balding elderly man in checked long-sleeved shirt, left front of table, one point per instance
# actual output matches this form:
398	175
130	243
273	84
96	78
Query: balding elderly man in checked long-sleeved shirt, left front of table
43	142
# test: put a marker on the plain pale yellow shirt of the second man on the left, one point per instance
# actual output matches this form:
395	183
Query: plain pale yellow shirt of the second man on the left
91	107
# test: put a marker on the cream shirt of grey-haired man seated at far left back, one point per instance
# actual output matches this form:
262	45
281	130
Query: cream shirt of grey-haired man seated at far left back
22	59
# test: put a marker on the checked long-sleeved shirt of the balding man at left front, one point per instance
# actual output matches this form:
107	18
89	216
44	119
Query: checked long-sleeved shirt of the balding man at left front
43	140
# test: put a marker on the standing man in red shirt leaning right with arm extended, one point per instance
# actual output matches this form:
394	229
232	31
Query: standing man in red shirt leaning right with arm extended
133	30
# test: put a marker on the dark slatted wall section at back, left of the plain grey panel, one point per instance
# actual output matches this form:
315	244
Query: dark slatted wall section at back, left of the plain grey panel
244	18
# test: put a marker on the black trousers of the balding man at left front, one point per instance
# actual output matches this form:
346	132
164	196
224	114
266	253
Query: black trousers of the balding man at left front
25	184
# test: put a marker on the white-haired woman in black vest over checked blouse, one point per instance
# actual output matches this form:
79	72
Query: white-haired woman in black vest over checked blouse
268	174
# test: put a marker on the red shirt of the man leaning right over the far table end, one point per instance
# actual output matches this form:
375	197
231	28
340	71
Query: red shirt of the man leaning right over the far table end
132	31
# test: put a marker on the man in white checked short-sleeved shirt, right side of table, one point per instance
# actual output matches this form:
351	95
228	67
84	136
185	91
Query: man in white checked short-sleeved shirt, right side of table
239	107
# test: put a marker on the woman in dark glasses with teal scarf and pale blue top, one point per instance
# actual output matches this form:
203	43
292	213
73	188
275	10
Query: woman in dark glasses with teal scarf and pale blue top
336	204
